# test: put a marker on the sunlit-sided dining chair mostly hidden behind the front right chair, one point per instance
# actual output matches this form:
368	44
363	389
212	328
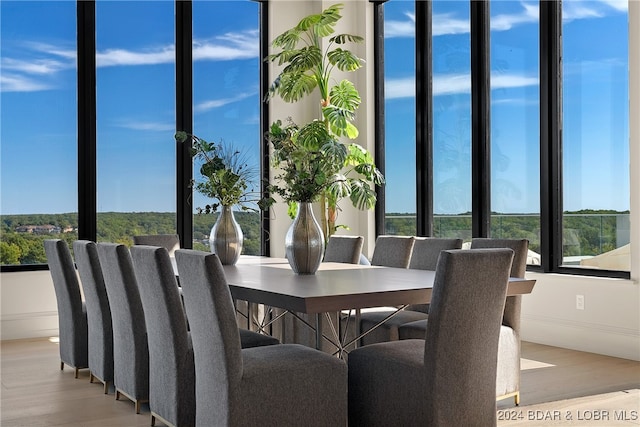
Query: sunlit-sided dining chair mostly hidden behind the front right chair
508	376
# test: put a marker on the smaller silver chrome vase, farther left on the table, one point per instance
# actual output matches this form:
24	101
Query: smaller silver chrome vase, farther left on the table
226	237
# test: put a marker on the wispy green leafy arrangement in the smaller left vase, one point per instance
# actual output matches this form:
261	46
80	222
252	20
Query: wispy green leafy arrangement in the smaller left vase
227	176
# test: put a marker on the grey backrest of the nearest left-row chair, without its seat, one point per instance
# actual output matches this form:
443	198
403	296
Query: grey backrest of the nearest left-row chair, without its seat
216	342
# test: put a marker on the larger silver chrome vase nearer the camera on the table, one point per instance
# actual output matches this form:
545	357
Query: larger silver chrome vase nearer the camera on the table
304	241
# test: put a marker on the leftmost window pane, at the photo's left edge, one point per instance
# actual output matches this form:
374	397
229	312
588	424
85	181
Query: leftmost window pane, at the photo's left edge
38	132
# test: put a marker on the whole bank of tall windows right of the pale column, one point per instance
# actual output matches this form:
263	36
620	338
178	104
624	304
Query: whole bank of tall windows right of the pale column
581	160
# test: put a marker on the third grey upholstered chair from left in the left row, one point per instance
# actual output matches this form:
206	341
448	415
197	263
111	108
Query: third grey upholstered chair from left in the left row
130	346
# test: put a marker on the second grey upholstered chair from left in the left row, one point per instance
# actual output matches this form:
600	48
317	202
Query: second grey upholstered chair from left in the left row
98	312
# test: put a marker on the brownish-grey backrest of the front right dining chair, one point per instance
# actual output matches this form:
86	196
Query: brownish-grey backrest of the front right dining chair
461	342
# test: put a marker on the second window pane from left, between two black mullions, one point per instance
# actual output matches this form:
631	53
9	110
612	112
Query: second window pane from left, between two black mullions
135	119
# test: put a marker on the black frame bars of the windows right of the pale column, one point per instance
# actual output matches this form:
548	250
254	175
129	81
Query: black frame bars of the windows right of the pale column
550	60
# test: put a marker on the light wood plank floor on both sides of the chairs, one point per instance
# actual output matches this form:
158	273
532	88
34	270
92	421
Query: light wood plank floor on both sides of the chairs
557	384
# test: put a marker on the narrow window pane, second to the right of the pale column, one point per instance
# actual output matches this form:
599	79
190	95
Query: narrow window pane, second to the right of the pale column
451	119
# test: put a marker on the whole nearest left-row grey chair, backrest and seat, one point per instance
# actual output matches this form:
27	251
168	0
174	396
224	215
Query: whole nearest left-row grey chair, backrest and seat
277	385
